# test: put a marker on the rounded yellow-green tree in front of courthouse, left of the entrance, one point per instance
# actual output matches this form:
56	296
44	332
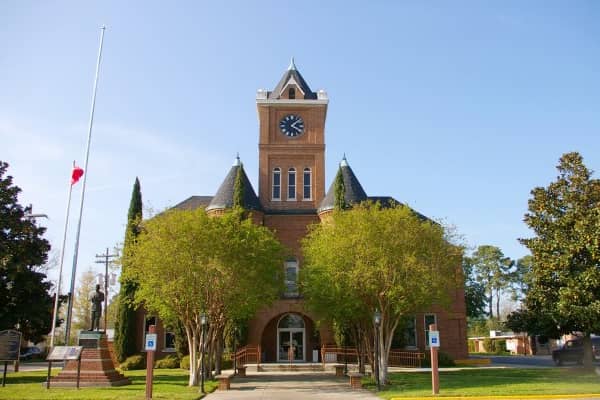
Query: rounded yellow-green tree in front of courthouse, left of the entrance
187	263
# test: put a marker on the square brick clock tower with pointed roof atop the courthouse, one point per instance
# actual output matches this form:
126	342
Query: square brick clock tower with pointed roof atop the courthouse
291	145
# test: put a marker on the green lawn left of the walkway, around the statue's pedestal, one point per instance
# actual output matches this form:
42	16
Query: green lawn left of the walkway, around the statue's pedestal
168	384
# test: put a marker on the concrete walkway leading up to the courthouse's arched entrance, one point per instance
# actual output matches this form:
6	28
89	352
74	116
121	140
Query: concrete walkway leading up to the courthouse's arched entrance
291	386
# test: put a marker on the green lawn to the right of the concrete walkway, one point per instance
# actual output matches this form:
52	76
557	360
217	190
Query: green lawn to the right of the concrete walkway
493	382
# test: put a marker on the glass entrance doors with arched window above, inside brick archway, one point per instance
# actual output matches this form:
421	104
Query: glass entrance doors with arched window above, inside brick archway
291	338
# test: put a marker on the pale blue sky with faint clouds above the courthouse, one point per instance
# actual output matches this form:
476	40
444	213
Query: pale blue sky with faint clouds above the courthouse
457	108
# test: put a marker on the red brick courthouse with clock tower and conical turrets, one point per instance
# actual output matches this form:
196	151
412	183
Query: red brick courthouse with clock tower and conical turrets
291	196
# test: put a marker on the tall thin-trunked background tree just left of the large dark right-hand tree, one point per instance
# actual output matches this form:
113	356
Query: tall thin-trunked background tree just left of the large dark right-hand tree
493	272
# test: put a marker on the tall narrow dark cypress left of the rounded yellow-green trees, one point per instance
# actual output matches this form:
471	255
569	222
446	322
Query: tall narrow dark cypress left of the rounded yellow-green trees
125	329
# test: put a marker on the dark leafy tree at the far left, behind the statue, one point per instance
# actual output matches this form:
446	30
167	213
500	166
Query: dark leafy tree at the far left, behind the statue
24	299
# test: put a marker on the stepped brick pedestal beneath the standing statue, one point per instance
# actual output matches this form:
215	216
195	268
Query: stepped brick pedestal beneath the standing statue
97	366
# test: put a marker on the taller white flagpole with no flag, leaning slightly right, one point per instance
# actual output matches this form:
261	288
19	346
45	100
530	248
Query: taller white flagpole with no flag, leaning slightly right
85	168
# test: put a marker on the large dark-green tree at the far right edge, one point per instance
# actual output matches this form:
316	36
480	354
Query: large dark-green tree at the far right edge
565	219
